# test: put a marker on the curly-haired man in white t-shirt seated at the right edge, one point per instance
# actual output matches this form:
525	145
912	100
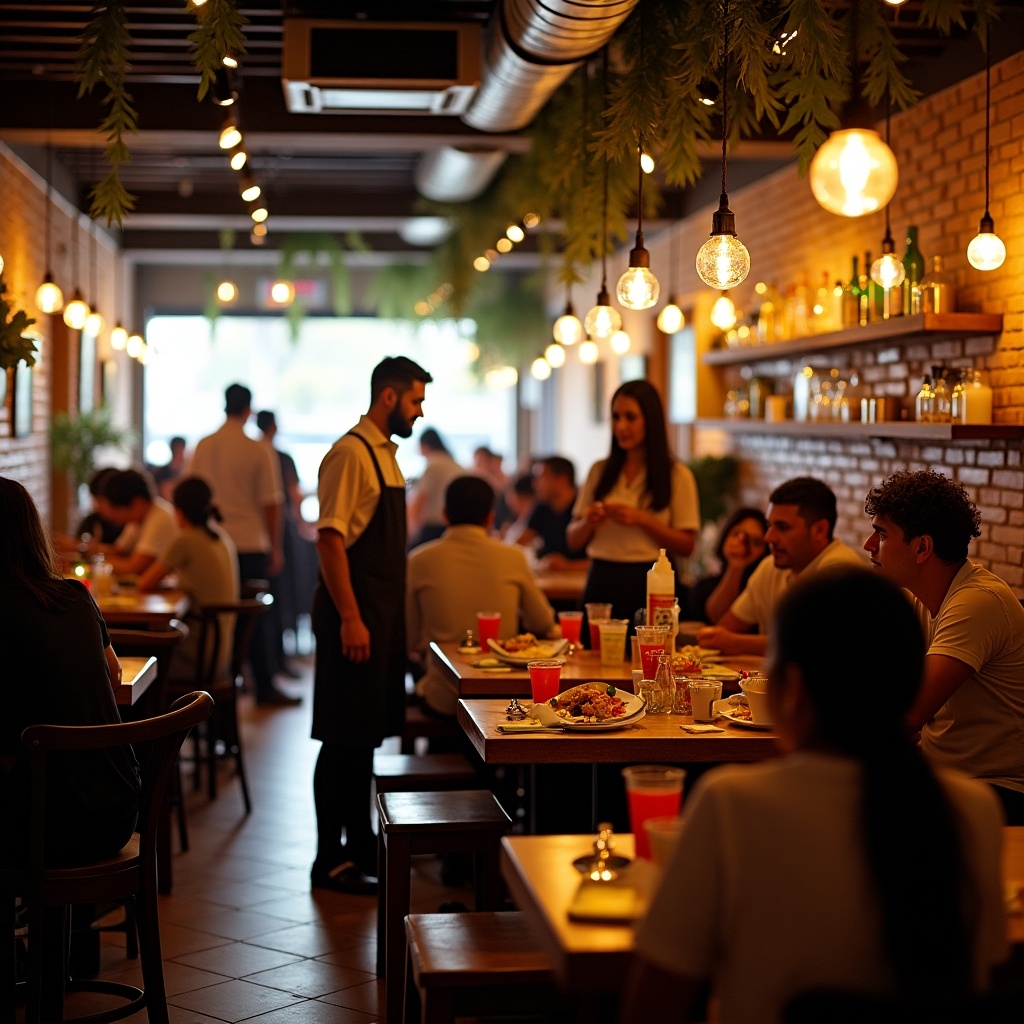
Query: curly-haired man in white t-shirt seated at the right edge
971	706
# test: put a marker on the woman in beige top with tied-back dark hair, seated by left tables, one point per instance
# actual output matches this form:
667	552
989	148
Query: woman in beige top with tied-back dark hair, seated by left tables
207	568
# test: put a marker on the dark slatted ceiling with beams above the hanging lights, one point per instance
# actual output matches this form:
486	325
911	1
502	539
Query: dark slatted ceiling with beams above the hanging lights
335	173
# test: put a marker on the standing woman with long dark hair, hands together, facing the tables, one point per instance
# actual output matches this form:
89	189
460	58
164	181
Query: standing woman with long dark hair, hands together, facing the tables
637	501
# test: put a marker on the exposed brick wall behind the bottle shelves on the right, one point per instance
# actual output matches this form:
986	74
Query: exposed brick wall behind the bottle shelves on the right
941	149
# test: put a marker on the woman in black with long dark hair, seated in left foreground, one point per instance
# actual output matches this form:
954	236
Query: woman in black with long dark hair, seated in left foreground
58	667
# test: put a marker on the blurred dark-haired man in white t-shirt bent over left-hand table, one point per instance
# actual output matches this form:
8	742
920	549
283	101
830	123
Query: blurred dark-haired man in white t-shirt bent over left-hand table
149	523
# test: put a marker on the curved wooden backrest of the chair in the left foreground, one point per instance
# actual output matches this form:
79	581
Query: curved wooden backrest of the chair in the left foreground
156	742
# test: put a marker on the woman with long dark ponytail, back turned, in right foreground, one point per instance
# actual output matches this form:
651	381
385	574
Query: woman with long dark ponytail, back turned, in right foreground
849	864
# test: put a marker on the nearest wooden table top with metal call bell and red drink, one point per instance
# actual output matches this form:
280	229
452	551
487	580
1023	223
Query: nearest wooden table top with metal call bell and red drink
591	958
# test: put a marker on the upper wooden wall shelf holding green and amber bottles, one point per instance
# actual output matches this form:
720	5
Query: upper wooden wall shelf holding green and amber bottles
922	327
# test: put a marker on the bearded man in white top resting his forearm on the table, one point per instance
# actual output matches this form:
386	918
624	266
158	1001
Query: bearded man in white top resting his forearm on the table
801	519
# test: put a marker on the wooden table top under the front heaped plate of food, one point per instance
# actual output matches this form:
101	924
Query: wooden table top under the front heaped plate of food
655	739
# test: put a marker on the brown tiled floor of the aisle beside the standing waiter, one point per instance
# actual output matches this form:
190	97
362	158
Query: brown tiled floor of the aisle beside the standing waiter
244	937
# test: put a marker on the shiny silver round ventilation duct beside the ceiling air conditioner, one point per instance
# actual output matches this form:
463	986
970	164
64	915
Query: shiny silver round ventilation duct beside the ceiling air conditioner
531	48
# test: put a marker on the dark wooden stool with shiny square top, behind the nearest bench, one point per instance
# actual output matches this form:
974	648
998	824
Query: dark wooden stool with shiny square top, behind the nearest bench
458	822
